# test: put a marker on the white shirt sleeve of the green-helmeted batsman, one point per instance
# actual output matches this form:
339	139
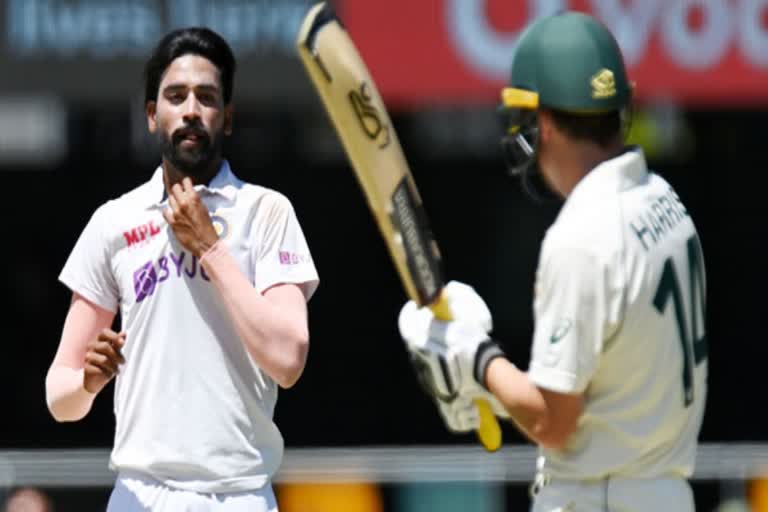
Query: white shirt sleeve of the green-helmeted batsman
571	309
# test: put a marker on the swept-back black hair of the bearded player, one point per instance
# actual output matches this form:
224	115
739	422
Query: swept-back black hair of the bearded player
194	40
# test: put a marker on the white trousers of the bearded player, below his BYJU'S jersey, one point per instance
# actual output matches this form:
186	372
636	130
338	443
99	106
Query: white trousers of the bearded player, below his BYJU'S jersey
135	493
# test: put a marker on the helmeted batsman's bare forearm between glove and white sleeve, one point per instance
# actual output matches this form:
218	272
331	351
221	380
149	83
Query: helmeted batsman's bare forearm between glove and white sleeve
526	404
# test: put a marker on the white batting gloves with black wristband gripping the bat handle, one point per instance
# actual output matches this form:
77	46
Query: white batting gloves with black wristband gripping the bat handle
451	357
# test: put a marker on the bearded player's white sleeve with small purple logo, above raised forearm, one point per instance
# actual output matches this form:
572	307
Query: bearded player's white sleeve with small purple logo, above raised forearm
281	254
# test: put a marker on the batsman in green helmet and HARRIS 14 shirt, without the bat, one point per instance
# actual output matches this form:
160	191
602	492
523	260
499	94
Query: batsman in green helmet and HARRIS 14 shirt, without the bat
615	389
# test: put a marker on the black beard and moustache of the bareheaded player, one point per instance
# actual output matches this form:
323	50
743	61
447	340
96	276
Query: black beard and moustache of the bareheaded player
195	162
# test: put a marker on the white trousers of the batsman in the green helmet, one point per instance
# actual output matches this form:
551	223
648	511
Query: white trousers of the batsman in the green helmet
615	495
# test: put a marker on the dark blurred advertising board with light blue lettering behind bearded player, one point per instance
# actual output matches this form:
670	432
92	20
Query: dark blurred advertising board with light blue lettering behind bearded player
94	50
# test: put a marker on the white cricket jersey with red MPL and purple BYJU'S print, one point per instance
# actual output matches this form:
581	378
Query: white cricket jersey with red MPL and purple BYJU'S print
192	408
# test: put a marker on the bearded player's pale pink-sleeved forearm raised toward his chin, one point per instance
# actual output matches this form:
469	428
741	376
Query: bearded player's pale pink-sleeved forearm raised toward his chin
276	339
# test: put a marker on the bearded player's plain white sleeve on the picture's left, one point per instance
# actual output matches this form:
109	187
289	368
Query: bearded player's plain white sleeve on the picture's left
88	270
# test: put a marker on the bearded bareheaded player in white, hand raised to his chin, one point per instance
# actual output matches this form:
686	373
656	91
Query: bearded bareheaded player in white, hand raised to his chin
211	276
